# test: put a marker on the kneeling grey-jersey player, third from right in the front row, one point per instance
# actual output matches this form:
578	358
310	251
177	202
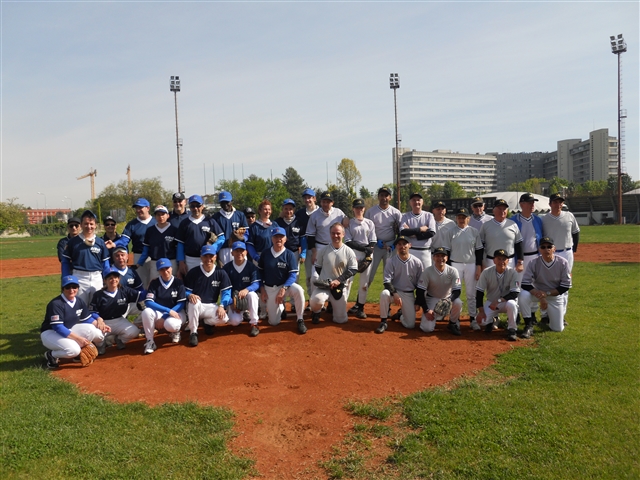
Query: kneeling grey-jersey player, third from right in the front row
441	281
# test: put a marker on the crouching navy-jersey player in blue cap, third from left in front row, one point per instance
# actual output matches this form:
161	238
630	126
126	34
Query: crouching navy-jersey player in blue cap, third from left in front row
164	306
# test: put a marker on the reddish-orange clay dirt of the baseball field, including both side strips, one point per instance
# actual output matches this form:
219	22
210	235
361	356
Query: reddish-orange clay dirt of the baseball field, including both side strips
288	390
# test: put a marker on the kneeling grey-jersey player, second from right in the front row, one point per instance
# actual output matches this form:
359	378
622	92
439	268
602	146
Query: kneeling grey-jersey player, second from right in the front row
502	286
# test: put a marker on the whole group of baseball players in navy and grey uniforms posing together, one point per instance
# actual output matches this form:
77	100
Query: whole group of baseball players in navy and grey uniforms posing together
191	269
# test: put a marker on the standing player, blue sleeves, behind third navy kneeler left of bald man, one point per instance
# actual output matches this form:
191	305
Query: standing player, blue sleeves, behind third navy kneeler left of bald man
193	233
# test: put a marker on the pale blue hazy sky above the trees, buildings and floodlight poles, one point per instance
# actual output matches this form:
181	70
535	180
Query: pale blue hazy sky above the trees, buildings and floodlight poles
268	85
